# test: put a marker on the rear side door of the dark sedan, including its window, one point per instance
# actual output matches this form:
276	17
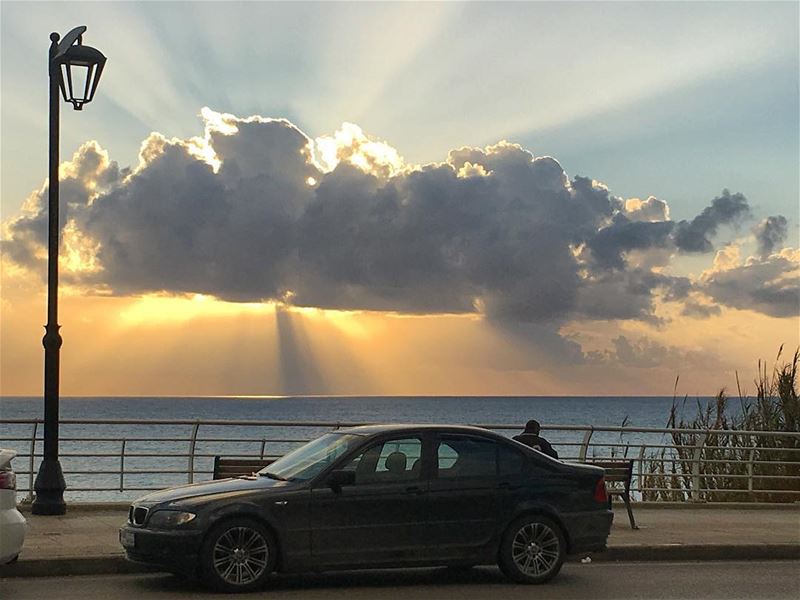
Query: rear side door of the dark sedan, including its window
463	496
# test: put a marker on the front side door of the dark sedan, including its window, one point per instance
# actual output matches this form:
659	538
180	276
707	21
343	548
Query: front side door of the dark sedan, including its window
380	518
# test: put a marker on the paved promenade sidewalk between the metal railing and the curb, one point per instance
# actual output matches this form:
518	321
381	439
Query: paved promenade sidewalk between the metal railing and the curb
85	541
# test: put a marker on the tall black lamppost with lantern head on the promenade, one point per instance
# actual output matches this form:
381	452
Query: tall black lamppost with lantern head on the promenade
81	66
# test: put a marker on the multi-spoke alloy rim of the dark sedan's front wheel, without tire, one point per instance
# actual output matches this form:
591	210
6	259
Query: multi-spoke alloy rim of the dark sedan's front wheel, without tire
240	555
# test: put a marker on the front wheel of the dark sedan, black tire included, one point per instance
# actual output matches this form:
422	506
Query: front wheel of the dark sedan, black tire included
237	555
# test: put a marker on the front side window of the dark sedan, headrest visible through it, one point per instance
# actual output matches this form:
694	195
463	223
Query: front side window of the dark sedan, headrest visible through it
387	462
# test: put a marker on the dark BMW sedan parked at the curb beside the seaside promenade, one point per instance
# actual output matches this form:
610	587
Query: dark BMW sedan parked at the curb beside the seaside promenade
378	496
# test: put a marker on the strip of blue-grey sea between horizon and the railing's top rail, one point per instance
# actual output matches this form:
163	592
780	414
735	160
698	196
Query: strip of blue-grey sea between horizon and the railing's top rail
639	411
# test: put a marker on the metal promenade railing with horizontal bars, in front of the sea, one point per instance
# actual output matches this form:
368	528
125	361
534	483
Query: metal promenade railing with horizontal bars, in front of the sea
103	459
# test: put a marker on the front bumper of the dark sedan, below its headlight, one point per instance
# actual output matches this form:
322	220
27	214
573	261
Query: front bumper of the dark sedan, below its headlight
173	550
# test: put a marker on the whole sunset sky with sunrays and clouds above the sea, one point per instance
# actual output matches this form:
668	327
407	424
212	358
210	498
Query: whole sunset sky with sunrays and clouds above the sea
406	198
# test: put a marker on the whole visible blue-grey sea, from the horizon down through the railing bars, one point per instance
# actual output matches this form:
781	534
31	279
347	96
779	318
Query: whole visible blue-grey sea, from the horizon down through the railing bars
154	456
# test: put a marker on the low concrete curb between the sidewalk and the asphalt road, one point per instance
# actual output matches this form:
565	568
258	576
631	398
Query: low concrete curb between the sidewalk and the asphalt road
119	565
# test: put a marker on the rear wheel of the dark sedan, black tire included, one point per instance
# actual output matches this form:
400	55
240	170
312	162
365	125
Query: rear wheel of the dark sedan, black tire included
532	550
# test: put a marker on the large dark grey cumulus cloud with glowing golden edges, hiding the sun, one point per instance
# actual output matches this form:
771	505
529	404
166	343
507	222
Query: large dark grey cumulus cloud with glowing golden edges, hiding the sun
256	210
